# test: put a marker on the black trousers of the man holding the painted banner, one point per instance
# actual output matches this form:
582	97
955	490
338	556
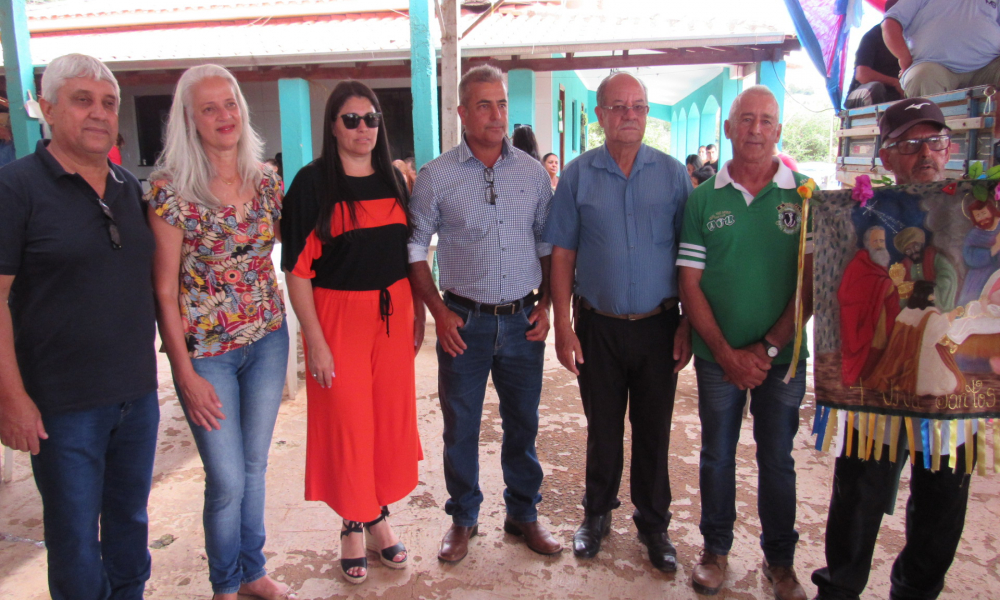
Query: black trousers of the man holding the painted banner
864	490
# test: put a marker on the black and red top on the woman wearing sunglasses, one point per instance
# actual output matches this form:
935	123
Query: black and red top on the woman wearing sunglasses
370	255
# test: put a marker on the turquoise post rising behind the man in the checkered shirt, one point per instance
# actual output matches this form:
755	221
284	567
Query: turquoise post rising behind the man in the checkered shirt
423	82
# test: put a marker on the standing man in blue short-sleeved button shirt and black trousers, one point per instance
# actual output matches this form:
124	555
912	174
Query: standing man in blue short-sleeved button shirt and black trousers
615	224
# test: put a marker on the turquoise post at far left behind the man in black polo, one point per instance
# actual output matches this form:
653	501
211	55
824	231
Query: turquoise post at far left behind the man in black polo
20	74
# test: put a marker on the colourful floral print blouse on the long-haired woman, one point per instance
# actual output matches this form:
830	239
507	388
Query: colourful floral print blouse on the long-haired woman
229	295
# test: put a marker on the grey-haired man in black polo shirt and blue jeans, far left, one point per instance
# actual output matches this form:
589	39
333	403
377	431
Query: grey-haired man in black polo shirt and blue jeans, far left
77	357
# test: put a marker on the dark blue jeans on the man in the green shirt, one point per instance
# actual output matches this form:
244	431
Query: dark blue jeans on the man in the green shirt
775	409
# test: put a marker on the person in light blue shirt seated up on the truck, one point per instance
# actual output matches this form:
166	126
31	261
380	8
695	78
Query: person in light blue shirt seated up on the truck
944	45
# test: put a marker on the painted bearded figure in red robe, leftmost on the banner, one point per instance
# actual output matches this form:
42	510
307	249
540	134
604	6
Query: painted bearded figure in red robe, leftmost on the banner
869	304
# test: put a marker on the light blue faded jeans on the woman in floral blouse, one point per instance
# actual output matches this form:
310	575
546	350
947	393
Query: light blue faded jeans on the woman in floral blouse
249	382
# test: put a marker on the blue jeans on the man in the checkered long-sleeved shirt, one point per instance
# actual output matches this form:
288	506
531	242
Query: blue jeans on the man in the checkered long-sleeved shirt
496	345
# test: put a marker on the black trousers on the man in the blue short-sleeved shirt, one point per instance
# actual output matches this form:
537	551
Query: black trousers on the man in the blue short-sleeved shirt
629	364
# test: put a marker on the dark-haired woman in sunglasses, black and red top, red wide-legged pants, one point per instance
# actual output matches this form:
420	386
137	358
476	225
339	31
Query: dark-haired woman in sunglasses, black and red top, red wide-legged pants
345	227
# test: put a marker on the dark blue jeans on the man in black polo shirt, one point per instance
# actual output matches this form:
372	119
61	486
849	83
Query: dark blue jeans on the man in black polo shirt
94	474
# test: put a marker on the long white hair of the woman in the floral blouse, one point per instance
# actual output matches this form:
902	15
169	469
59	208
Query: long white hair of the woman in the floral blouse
183	161
